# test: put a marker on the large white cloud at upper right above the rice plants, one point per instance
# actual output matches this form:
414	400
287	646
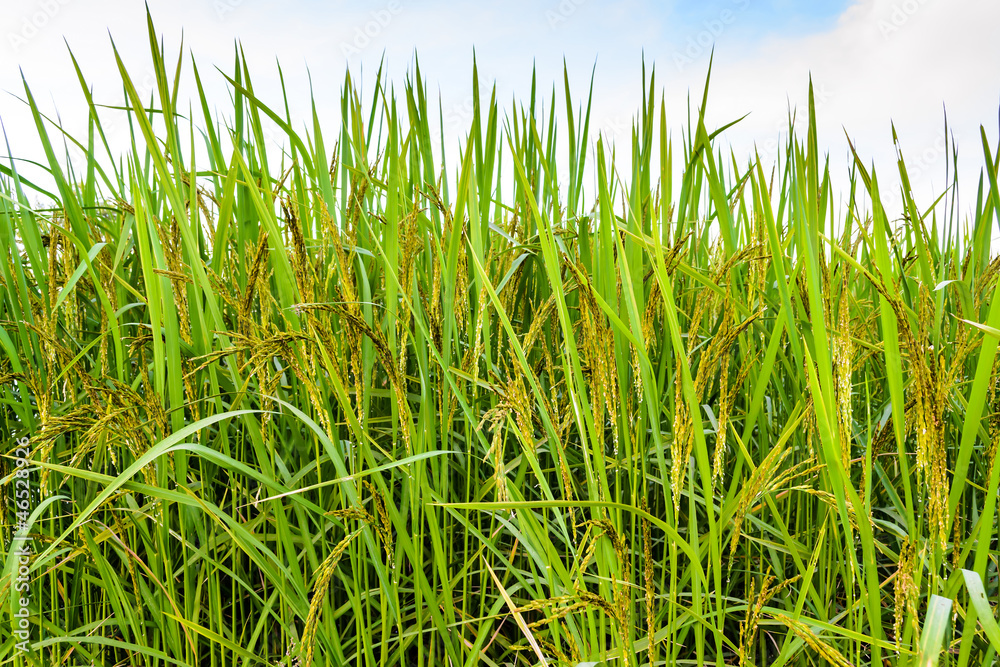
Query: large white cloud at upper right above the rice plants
885	61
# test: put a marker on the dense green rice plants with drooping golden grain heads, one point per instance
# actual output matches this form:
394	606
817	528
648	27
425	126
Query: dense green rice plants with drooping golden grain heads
339	406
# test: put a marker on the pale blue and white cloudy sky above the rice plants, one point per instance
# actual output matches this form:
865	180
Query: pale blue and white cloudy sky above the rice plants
873	63
